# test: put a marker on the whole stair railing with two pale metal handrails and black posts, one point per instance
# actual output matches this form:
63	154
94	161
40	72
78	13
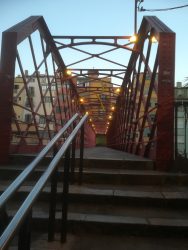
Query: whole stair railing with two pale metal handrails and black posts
20	223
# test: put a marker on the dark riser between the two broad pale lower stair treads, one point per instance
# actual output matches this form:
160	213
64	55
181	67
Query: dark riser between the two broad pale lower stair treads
42	209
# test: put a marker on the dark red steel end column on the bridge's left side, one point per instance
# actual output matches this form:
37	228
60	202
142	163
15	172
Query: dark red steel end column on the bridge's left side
8	56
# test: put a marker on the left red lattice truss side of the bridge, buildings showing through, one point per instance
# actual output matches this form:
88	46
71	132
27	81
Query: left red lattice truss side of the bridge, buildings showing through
35	105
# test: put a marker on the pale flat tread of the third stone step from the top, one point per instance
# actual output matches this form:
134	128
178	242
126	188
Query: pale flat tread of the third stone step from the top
158	192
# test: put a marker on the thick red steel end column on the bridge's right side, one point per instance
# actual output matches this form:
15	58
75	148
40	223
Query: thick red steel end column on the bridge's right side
165	113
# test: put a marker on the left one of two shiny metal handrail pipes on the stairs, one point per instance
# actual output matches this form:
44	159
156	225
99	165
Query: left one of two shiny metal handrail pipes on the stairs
31	167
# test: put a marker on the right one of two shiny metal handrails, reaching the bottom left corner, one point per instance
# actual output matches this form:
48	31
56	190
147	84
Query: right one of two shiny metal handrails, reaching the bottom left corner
26	207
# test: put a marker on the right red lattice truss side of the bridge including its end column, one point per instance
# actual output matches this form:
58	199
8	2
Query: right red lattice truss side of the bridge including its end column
143	123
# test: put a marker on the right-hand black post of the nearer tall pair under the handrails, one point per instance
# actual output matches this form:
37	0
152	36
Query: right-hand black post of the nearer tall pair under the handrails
65	196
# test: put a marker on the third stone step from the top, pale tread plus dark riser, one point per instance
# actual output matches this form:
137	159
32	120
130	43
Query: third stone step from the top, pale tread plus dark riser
159	196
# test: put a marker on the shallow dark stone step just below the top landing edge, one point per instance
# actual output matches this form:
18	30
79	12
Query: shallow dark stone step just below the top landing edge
106	176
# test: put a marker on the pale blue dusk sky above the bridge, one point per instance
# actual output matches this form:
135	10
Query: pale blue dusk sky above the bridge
100	17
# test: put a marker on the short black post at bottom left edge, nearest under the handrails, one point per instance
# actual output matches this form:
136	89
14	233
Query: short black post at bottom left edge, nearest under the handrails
24	239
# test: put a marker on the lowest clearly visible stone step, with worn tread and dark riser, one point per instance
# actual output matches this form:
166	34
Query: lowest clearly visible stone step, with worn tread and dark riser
110	223
